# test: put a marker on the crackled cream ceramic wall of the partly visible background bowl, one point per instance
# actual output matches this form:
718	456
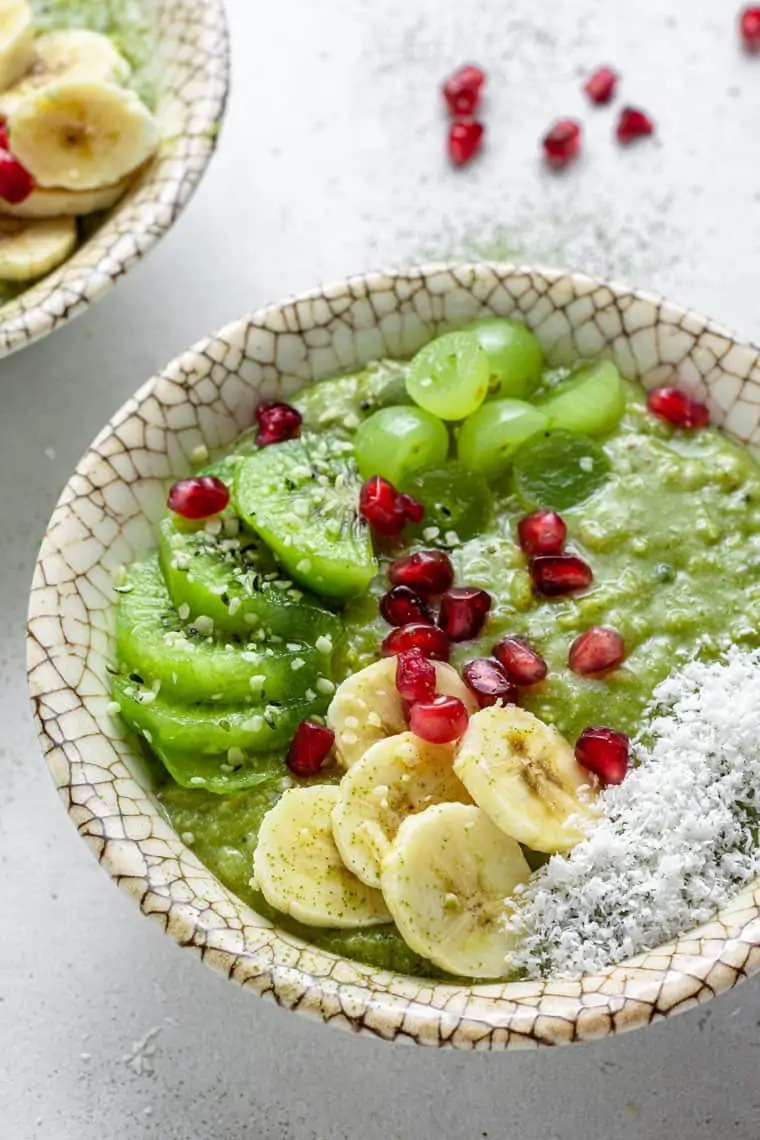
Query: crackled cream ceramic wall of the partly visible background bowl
193	84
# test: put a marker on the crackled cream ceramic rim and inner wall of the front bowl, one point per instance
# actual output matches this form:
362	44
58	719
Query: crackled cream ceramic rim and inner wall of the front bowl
107	517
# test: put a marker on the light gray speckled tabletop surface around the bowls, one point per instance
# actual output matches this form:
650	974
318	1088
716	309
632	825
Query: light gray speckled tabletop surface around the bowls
331	162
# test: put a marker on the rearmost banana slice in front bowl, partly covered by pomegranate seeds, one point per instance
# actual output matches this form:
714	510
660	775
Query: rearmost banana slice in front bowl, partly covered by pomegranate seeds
367	707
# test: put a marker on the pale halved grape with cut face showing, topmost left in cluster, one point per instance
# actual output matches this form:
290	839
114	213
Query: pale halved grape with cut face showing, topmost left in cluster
450	377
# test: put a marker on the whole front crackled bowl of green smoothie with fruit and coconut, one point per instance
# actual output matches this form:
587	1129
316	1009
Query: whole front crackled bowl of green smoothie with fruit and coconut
397	649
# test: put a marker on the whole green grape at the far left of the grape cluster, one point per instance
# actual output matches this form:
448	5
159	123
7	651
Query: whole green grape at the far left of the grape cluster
395	443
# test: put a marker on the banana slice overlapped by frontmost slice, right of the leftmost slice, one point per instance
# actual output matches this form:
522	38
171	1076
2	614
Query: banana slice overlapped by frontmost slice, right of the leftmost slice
396	778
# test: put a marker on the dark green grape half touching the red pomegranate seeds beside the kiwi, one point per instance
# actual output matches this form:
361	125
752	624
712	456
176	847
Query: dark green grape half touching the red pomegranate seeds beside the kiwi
455	500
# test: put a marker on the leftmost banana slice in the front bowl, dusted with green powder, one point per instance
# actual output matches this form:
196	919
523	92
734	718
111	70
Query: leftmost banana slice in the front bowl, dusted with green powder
299	870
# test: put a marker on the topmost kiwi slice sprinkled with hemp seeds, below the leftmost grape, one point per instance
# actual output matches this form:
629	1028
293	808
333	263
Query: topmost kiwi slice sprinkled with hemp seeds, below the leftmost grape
303	499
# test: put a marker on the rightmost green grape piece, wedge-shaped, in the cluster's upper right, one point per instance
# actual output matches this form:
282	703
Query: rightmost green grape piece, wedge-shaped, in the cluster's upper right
591	403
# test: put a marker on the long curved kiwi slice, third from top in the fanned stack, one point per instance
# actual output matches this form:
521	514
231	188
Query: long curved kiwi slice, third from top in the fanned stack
193	664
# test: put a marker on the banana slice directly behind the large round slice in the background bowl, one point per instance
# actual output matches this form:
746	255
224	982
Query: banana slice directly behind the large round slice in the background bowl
75	54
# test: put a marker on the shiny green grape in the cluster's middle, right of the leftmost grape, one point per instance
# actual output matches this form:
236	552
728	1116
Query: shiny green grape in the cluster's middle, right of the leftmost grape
489	438
